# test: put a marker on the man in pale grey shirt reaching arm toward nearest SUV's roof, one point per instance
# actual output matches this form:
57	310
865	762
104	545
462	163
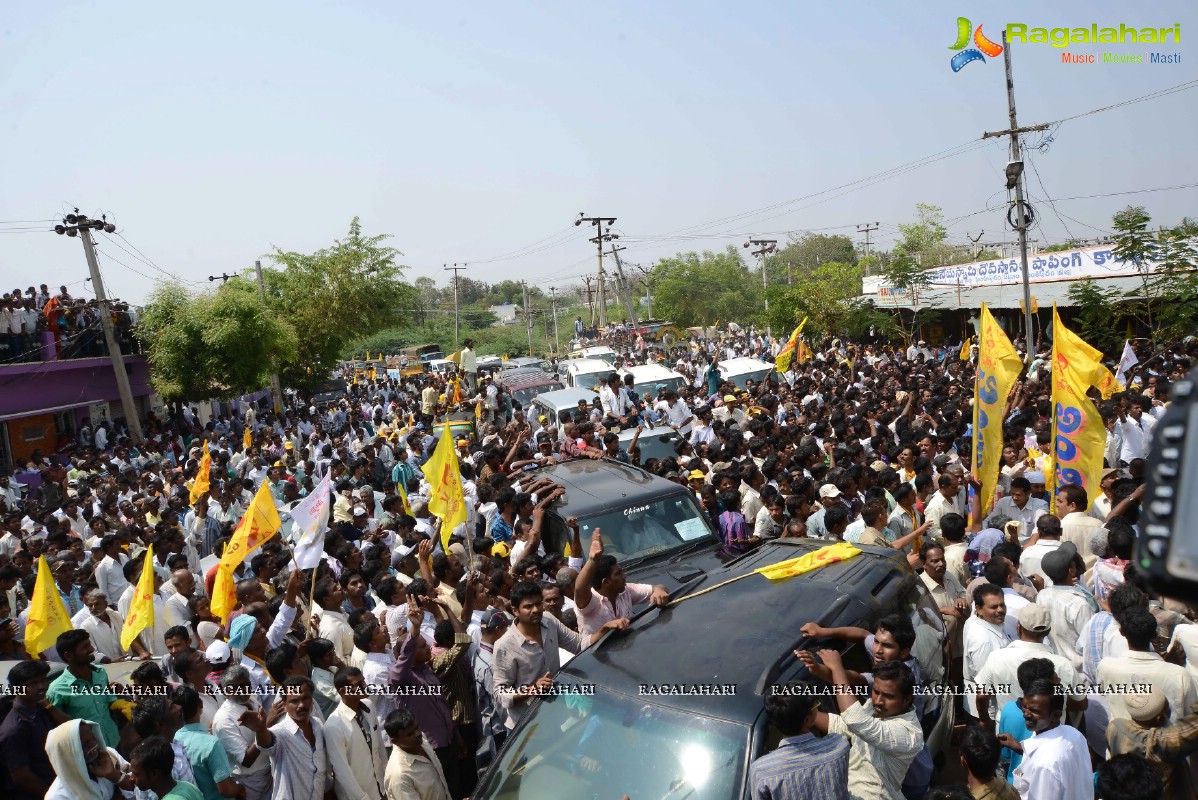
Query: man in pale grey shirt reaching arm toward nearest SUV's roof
527	657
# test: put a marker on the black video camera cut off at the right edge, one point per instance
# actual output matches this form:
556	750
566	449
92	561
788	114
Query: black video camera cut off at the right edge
1167	550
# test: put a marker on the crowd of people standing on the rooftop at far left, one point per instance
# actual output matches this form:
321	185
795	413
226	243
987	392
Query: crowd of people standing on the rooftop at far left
40	326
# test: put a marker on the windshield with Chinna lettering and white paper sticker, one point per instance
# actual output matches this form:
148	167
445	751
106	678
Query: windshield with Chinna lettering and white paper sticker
649	529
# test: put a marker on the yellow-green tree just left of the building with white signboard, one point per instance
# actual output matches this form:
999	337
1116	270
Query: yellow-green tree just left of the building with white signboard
831	298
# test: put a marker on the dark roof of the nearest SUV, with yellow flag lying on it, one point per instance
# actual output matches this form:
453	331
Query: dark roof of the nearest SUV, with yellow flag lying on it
743	633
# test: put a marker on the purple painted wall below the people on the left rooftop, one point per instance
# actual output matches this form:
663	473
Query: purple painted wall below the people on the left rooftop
75	383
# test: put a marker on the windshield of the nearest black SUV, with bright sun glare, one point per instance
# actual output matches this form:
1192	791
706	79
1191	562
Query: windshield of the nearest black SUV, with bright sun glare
596	746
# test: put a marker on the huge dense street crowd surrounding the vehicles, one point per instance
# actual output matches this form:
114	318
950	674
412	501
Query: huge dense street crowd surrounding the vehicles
397	669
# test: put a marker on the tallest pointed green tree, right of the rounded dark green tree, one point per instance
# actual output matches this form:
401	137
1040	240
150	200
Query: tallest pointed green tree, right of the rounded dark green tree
335	296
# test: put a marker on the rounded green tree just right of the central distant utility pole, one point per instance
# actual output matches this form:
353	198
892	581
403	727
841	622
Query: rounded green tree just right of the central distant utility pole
695	289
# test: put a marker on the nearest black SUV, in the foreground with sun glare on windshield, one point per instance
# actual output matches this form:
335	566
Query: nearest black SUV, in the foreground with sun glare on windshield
674	707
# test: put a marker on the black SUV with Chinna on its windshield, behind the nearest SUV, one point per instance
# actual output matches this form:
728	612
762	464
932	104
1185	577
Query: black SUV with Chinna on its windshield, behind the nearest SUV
655	528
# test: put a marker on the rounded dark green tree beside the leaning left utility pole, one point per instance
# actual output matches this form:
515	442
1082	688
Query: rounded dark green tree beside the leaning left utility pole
216	344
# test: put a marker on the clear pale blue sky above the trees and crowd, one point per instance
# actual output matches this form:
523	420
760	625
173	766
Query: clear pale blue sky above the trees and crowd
474	130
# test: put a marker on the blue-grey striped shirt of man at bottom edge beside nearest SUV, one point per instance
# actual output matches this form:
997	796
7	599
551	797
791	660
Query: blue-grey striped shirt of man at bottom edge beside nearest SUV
803	768
